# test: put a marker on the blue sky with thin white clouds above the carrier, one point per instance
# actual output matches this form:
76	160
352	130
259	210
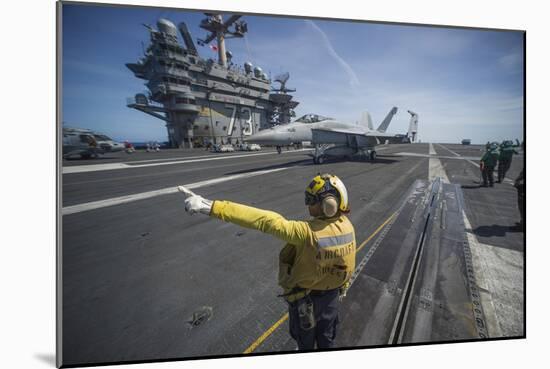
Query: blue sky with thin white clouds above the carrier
463	83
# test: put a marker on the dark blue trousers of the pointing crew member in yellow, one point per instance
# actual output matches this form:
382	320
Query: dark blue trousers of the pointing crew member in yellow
325	308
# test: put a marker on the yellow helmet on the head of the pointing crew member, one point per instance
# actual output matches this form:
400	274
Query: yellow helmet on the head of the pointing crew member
325	184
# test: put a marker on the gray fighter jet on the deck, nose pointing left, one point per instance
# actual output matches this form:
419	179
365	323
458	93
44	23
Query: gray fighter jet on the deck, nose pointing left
334	138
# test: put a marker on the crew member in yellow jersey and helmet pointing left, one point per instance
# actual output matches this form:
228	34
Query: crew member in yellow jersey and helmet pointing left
317	261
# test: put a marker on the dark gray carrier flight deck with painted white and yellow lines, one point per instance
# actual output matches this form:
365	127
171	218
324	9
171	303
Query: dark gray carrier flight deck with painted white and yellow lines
143	280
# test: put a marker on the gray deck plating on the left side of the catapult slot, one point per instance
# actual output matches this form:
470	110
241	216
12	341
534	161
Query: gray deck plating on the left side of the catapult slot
370	309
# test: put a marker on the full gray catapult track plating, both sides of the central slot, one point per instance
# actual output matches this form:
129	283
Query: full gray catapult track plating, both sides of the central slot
415	287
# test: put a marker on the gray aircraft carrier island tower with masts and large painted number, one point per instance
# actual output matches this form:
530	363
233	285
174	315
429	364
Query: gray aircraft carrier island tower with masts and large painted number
202	100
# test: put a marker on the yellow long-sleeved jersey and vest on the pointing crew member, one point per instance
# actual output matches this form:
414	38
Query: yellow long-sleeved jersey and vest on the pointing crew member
319	254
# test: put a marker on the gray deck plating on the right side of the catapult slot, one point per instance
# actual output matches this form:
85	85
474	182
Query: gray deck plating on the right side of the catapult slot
442	307
